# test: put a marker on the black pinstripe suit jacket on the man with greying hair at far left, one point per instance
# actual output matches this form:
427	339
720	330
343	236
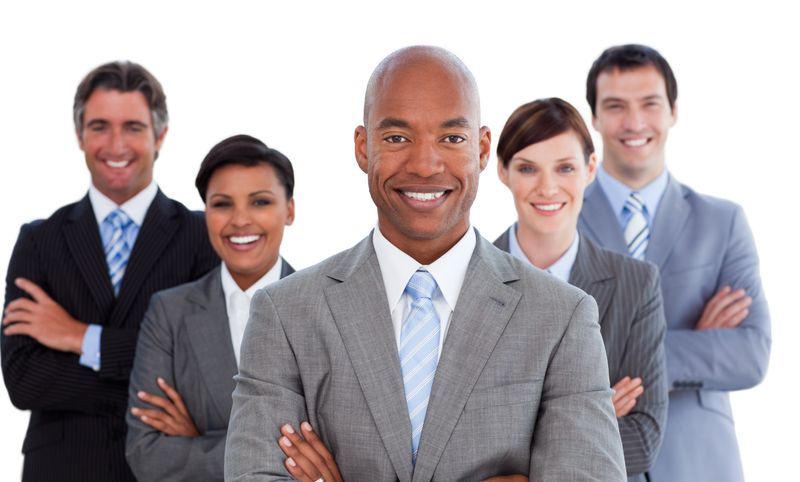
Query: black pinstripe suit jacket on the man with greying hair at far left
77	427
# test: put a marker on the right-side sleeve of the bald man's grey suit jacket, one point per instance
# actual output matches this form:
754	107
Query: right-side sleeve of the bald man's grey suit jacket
576	435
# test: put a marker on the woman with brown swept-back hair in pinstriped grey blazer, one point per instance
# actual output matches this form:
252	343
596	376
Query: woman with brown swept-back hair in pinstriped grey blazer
546	158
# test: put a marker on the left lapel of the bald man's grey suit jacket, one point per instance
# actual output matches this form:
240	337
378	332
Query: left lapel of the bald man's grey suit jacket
361	312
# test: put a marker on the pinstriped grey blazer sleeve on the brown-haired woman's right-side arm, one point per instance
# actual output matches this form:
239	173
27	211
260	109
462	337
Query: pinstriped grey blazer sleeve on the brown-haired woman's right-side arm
642	429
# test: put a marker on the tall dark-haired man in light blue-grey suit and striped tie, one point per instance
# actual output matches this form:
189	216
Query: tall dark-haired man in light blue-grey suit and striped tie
718	329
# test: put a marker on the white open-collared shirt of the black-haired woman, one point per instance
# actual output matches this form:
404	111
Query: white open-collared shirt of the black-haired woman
237	302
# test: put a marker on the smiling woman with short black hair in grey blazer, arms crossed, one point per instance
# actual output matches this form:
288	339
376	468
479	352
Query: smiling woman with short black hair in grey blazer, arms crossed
188	348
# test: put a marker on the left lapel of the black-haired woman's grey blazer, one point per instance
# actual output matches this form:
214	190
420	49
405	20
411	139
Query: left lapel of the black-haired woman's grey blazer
210	339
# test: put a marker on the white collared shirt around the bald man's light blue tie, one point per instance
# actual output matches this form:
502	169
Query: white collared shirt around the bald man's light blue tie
449	271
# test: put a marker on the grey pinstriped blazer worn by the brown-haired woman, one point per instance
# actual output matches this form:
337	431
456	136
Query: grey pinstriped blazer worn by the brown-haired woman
628	296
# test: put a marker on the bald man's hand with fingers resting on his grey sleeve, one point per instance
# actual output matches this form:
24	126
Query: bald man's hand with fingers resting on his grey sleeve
308	460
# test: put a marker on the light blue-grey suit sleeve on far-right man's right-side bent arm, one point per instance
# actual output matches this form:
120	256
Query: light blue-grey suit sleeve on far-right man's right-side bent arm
726	358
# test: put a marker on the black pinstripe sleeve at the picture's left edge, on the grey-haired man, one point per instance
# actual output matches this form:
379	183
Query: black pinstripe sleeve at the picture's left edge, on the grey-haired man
38	377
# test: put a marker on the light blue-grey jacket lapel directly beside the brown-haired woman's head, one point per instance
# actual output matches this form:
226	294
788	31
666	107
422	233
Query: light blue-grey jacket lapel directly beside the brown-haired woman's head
598	218
